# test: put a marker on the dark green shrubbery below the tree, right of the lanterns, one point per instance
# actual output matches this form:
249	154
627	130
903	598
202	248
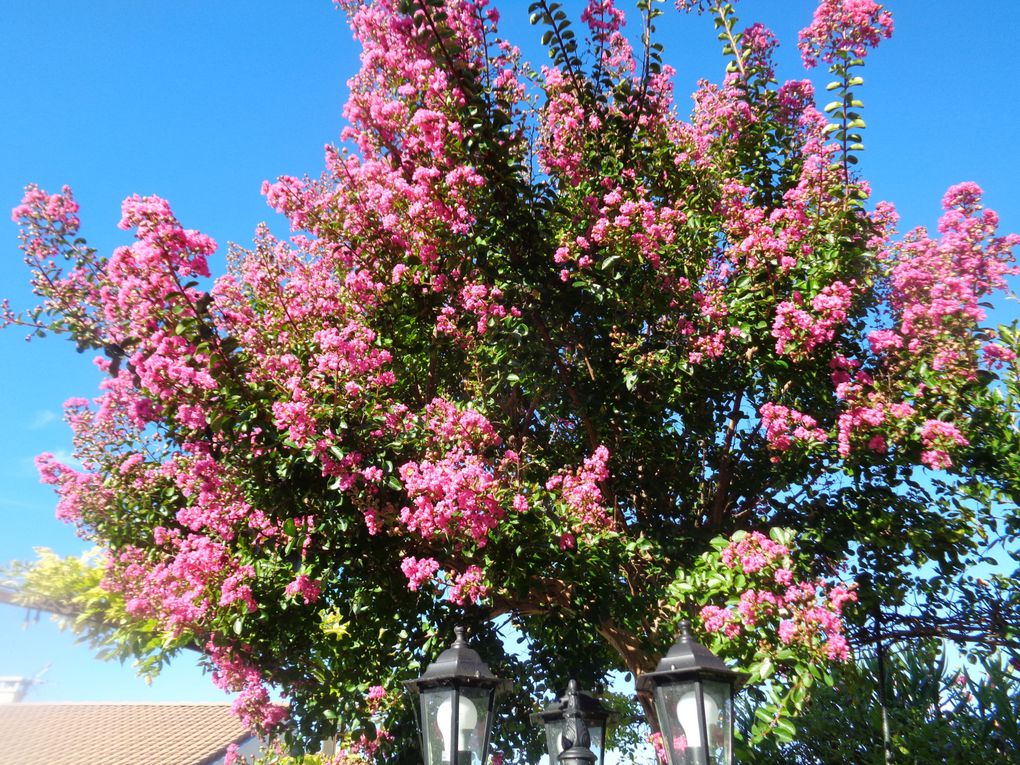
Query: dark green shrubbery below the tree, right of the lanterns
935	715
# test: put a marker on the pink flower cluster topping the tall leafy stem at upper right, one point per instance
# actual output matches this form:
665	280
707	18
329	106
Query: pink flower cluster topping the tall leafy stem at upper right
844	28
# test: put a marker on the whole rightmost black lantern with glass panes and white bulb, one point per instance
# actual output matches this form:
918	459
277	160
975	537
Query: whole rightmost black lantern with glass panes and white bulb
694	701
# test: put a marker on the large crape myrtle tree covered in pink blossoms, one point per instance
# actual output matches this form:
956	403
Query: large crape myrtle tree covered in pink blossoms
547	359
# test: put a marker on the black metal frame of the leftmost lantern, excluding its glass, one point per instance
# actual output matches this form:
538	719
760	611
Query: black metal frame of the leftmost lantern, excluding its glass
458	670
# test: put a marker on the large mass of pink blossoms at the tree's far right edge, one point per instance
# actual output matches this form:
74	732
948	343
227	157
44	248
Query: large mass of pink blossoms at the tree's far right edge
936	296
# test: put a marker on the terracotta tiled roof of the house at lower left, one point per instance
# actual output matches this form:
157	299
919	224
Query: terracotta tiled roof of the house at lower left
94	734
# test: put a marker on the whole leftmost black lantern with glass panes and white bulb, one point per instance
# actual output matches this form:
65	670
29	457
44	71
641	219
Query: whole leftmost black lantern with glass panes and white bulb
455	711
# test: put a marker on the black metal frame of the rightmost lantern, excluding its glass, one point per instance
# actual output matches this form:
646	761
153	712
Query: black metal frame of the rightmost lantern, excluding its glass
690	664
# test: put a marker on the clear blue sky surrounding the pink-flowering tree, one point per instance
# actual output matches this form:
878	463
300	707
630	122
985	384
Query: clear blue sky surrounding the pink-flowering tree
199	103
